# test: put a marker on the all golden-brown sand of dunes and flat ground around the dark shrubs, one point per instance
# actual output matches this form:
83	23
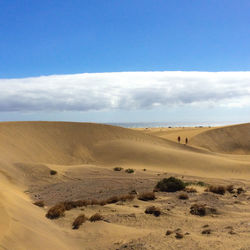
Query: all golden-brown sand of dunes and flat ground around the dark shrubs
84	155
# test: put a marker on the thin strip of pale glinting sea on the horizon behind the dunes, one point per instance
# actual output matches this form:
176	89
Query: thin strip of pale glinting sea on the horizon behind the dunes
169	124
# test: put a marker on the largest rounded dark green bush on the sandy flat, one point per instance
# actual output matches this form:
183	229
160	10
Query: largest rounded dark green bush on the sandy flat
170	184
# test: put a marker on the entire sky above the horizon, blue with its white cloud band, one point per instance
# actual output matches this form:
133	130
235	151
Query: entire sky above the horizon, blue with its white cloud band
125	60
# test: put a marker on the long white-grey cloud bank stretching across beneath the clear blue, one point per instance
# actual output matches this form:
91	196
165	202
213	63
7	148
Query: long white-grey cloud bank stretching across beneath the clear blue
125	90
